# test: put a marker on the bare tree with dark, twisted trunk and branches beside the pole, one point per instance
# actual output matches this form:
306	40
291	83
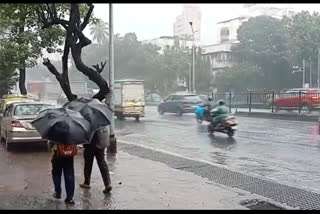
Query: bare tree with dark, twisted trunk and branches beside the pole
52	14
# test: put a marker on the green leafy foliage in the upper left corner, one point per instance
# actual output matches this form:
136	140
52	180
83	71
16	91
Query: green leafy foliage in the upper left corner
26	35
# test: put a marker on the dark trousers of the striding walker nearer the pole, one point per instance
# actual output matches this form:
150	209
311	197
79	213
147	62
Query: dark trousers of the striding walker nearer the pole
90	151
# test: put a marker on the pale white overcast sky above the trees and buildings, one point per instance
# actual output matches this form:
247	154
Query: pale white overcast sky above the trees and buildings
149	21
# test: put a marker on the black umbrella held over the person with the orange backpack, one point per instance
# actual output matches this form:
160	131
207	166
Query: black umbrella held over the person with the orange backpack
64	126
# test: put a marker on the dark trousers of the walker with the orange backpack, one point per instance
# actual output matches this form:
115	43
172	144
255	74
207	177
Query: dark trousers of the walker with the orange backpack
64	164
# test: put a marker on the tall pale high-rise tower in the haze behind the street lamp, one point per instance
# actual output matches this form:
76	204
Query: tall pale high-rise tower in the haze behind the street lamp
182	28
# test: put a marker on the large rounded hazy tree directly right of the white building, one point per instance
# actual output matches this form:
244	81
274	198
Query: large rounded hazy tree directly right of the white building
264	42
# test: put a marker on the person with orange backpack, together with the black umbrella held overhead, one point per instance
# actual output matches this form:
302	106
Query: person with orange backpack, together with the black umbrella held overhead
64	128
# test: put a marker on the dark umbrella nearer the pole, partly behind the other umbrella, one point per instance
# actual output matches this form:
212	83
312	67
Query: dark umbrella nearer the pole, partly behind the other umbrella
96	112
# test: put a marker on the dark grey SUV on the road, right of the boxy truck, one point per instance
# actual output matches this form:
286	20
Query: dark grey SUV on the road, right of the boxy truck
180	103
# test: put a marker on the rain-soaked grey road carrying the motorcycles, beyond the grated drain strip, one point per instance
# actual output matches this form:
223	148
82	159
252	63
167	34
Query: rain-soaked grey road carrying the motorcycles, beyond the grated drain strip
284	151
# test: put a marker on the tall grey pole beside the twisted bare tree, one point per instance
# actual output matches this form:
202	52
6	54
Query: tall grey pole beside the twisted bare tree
113	142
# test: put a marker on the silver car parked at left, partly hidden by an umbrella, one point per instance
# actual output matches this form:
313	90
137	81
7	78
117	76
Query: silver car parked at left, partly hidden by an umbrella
16	123
